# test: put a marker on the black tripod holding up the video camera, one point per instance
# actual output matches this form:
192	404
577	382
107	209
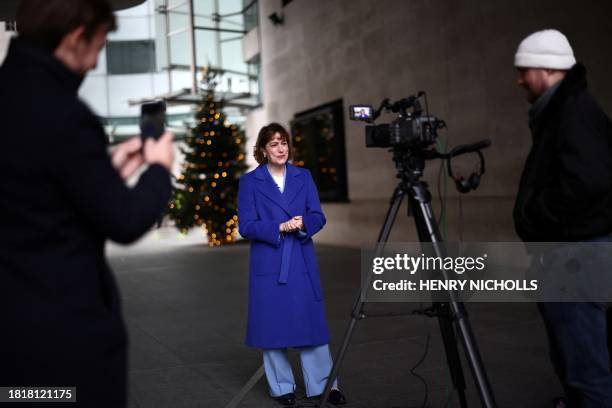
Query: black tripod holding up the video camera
410	170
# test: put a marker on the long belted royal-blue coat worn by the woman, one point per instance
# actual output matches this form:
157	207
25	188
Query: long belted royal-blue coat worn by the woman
285	299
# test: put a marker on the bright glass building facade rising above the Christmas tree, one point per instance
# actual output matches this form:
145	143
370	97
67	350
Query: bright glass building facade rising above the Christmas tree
219	30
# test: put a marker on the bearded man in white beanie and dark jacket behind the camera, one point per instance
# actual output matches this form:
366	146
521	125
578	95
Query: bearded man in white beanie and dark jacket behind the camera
565	195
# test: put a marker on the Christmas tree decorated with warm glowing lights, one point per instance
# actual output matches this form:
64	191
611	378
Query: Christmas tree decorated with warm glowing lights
207	189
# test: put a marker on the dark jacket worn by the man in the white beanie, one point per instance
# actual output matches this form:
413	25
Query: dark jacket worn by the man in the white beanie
565	192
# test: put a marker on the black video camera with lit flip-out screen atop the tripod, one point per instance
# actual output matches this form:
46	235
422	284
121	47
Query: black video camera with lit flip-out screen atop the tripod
411	129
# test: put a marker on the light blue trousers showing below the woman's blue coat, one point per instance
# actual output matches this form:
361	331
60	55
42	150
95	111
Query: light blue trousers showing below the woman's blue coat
316	366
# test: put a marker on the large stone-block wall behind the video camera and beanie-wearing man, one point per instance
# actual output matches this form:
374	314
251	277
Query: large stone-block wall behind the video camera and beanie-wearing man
460	52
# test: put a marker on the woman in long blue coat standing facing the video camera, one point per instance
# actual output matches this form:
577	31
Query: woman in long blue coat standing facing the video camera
279	212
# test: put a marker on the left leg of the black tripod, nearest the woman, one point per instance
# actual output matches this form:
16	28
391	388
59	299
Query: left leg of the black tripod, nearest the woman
357	313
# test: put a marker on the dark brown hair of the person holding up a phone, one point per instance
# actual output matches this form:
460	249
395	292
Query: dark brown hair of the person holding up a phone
46	22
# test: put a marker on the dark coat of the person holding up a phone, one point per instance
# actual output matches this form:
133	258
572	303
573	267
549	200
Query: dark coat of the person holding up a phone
60	199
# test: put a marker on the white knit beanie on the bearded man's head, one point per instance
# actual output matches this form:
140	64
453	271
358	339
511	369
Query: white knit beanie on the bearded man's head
545	49
